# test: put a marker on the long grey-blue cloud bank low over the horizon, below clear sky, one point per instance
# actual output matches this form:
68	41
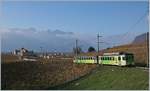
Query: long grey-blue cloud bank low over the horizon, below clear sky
54	39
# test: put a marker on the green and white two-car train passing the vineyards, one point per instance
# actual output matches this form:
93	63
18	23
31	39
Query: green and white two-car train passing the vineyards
120	59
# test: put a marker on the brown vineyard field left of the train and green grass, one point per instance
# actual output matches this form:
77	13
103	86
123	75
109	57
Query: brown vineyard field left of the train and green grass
41	74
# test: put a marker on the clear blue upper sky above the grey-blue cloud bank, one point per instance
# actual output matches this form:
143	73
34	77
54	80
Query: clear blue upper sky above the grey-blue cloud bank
107	18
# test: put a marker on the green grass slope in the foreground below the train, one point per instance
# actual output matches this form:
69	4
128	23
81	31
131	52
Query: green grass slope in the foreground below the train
111	78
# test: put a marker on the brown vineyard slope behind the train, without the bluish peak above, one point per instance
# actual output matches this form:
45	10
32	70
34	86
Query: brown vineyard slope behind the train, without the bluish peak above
139	51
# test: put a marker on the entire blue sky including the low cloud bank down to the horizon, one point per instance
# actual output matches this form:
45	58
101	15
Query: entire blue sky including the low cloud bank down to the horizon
56	25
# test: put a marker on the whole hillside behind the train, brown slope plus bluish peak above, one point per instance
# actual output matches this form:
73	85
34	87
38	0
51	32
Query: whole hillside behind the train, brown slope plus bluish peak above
138	47
